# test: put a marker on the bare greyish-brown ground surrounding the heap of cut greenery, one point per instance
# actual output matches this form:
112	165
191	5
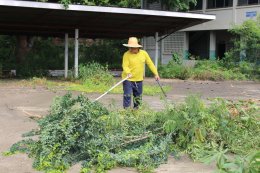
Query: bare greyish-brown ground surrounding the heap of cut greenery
18	103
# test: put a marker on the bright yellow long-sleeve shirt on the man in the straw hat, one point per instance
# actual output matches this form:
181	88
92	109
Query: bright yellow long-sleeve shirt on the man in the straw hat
134	64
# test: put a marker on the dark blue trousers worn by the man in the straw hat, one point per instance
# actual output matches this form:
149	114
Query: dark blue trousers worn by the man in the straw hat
135	88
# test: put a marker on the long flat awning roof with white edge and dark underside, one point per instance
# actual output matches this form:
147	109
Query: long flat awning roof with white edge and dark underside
51	19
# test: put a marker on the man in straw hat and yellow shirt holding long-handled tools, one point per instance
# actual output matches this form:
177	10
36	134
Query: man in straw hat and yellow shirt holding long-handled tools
133	67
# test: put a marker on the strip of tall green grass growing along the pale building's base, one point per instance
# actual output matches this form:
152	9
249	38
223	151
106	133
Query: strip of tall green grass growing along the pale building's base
211	70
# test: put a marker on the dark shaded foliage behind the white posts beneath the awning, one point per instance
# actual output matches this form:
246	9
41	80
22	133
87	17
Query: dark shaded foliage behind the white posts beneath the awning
45	55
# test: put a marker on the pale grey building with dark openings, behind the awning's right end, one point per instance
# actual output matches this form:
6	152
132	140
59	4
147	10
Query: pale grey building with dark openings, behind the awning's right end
209	40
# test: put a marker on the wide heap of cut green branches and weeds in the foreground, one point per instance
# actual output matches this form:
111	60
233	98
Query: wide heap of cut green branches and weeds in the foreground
79	130
